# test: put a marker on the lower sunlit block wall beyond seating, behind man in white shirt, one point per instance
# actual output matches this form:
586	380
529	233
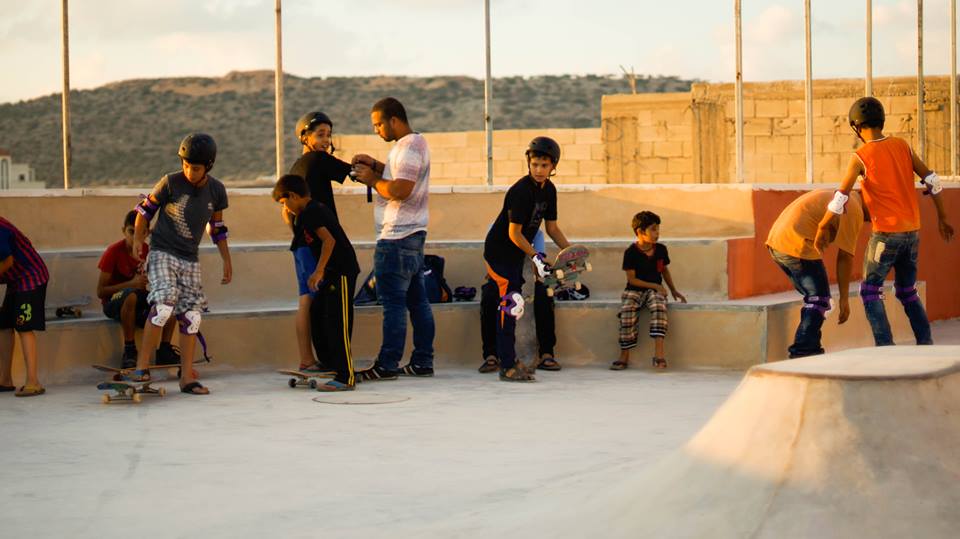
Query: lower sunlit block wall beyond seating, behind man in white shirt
459	158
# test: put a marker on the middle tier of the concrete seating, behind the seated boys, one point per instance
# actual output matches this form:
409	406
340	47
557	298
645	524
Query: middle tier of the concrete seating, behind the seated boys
263	272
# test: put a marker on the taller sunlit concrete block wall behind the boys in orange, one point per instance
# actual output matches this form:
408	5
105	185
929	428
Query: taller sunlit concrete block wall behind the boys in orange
690	137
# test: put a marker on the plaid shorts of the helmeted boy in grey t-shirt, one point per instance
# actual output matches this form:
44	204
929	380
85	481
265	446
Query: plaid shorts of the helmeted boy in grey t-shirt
175	281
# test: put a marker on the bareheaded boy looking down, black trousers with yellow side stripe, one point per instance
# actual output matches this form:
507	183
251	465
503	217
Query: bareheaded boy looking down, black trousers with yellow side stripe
333	280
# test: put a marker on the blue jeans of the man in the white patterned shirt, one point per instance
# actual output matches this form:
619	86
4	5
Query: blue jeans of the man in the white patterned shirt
398	268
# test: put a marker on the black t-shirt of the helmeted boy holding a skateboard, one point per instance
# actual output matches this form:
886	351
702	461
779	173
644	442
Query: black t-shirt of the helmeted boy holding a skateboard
527	204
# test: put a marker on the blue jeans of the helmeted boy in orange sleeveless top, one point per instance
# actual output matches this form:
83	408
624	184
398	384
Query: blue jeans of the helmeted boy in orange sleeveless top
897	251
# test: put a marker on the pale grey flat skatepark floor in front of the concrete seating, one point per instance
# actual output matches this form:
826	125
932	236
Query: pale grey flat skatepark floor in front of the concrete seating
259	459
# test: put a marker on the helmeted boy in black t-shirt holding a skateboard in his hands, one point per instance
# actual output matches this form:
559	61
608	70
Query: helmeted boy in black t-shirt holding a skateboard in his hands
530	201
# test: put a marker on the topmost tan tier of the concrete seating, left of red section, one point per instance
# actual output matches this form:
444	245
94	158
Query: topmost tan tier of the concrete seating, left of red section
87	218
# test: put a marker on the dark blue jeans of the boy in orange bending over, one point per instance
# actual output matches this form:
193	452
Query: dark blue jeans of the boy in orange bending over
809	277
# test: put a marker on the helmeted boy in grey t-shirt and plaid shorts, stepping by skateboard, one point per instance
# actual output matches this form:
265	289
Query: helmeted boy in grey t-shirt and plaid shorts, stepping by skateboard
186	203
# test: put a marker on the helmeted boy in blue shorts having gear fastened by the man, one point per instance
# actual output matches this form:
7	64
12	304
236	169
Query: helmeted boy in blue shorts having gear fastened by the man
318	166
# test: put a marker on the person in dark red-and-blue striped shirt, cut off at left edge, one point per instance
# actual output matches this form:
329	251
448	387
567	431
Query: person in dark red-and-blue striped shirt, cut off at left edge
25	276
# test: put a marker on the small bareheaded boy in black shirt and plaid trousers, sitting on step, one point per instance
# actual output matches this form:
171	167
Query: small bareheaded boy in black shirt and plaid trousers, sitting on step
645	263
